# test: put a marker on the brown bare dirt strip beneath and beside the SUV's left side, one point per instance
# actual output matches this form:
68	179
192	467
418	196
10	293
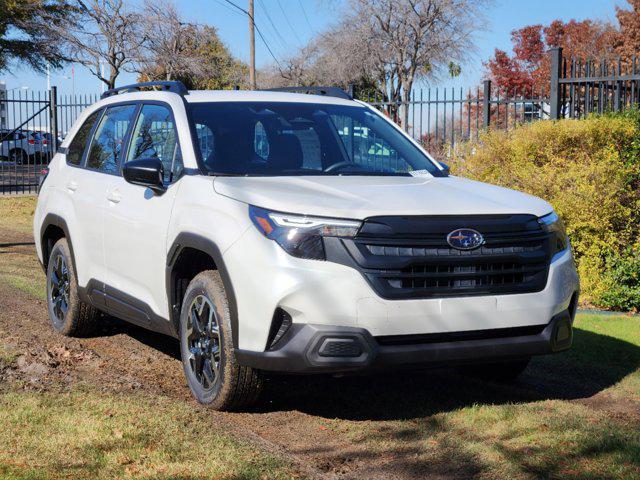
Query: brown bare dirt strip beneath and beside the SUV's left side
122	358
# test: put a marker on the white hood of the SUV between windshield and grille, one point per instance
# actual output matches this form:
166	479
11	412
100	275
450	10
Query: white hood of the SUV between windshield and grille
362	197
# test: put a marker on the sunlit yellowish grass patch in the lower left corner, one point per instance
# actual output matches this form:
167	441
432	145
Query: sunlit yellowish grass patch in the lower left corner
95	436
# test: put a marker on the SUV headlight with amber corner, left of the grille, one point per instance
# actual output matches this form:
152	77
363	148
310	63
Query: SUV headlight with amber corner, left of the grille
299	235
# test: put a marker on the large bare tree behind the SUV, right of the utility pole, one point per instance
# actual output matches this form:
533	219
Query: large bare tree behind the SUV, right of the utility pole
393	42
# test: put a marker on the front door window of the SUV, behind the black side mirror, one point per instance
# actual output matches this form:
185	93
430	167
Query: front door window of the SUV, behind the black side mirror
155	137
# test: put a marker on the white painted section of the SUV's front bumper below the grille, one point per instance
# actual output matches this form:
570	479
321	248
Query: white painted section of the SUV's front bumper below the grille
327	294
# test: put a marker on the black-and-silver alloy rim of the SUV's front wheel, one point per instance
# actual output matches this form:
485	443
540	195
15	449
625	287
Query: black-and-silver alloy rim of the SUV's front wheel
203	341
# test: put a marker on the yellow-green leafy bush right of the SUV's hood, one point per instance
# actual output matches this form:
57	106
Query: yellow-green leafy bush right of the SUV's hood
589	171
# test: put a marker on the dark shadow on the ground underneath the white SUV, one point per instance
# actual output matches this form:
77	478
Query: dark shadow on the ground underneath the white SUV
595	363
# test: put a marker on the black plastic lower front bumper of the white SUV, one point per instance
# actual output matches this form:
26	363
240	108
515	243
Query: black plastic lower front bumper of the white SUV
326	349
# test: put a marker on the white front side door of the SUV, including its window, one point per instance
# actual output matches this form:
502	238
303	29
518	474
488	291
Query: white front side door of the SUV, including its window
136	221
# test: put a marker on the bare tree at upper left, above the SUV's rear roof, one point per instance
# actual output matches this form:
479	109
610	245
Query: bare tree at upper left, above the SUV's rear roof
102	32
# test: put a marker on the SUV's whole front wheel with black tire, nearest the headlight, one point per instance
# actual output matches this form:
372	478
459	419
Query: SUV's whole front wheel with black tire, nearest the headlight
208	358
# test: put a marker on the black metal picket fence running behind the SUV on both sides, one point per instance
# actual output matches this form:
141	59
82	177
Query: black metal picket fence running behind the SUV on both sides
33	123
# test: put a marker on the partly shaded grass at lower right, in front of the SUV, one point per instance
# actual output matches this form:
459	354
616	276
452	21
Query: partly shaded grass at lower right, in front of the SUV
582	422
